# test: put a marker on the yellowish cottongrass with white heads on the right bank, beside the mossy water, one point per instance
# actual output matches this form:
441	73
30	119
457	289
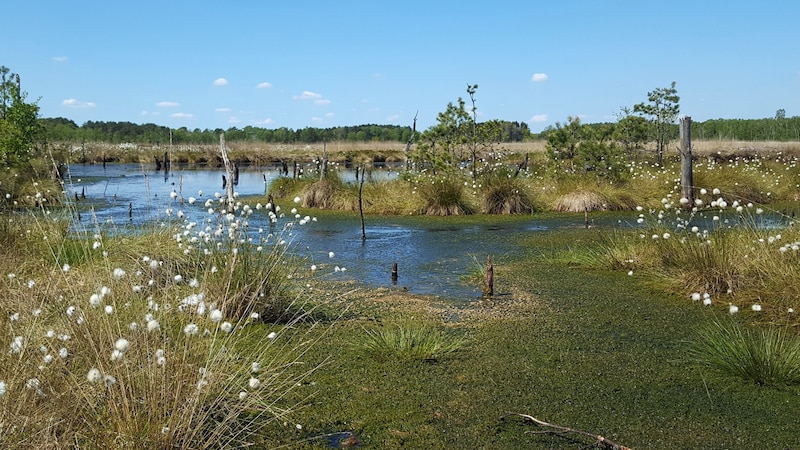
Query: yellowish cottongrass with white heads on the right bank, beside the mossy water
717	247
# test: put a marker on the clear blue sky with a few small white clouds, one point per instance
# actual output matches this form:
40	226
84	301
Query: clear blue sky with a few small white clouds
299	64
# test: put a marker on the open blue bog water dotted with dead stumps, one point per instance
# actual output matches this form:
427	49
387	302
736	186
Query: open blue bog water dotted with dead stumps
432	254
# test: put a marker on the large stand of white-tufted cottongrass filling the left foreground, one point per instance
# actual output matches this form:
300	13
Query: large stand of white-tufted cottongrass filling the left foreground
119	340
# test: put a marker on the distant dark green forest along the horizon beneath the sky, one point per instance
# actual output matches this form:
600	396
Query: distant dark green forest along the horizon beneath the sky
65	130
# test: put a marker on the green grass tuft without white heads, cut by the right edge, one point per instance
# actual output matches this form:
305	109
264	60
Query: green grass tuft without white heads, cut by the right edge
768	356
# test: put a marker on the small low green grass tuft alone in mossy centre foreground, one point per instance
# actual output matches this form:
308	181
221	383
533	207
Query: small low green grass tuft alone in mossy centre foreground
408	341
